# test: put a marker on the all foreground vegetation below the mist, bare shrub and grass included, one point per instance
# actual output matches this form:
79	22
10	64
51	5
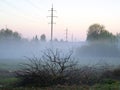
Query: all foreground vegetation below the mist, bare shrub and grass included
32	76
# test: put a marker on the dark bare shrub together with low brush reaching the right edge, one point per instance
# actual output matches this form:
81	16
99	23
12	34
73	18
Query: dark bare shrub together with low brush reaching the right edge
57	68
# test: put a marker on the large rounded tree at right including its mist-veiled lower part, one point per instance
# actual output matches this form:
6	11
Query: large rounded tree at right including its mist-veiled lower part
102	43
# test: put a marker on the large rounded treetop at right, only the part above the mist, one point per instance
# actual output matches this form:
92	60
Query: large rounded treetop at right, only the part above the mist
97	32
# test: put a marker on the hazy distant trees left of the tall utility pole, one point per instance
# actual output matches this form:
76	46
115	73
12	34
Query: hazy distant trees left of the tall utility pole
7	35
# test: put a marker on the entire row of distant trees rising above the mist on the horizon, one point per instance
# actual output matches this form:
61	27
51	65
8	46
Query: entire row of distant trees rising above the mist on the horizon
96	32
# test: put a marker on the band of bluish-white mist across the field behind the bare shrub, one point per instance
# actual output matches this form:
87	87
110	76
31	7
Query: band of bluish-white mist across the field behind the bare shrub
84	52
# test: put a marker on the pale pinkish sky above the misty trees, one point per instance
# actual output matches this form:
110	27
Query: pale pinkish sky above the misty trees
29	17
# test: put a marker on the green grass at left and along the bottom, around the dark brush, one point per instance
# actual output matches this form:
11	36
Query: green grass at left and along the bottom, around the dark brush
8	81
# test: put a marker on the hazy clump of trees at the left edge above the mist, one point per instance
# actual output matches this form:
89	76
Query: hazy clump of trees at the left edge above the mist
8	35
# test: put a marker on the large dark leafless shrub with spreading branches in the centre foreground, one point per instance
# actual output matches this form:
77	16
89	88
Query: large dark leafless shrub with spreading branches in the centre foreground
52	68
